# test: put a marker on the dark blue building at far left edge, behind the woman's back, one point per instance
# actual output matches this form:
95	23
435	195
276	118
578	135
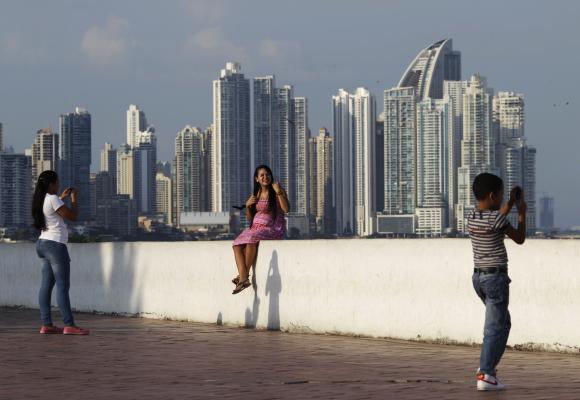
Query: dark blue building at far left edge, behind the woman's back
15	178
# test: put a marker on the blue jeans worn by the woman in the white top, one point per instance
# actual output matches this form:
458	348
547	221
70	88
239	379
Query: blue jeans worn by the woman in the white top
55	269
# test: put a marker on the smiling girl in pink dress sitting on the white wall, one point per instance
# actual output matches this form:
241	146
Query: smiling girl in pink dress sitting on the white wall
265	210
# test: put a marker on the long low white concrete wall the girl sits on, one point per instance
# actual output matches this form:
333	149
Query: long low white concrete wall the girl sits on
409	289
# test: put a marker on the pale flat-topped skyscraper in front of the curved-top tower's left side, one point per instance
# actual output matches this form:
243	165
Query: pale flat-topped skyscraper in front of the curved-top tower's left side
400	151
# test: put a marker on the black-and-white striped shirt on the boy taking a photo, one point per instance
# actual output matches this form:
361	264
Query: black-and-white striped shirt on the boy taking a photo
486	230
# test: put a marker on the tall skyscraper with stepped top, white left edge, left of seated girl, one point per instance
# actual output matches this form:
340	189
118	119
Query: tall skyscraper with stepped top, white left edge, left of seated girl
231	147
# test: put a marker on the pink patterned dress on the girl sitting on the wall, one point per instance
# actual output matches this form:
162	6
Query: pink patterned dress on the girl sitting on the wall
264	227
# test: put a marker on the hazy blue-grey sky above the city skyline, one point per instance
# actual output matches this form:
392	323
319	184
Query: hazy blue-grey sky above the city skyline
105	55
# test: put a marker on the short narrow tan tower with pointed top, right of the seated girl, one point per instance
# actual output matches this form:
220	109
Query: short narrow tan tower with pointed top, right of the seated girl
321	189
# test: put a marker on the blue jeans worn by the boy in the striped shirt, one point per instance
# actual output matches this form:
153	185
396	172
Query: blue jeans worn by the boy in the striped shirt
494	291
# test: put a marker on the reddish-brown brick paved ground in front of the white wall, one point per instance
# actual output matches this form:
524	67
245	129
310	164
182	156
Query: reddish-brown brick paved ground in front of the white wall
133	358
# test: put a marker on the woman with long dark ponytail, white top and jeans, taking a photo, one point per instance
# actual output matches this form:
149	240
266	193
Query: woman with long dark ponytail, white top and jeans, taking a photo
49	213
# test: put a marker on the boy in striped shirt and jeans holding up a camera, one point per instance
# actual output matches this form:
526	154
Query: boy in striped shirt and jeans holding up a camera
488	225
